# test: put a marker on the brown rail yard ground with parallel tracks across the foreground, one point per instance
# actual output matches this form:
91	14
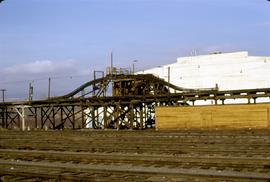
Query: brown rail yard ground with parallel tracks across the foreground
134	156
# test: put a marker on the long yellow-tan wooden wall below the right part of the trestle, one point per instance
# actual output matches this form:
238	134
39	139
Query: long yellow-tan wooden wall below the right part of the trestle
255	116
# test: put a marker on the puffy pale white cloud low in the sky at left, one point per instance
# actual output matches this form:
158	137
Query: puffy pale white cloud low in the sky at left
41	67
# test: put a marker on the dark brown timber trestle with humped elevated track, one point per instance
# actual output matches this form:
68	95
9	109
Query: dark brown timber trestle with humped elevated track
117	100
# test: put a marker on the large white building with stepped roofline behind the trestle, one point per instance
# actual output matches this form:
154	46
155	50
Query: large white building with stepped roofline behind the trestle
230	71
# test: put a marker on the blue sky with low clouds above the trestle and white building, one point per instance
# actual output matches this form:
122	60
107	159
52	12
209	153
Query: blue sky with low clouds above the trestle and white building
68	39
